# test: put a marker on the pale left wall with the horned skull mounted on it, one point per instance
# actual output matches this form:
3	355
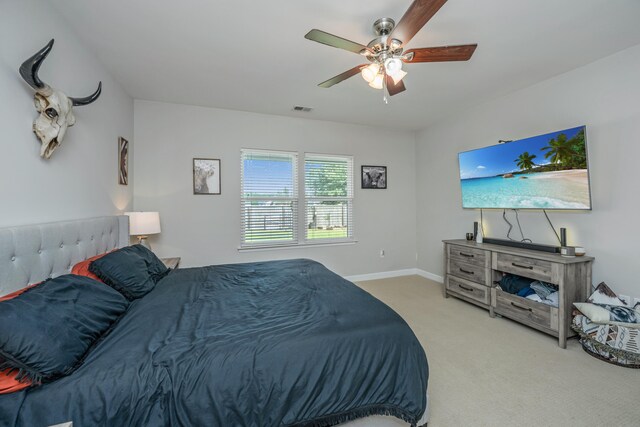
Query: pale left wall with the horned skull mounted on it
80	180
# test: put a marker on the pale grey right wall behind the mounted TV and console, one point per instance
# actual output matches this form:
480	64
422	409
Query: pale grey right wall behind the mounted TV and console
604	96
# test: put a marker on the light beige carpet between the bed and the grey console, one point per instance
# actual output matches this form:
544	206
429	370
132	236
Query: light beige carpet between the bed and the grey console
496	372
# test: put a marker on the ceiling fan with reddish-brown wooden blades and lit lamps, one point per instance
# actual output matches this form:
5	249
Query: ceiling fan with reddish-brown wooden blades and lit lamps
386	52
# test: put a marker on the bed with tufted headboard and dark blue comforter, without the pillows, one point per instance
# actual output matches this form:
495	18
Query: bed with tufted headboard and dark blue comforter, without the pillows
272	343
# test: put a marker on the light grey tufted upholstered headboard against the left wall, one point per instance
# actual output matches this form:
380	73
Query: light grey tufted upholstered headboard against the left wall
32	253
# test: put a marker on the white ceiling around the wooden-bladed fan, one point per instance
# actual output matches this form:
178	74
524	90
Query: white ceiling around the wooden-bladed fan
252	55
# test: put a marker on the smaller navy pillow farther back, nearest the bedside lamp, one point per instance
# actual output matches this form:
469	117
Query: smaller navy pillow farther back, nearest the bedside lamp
133	271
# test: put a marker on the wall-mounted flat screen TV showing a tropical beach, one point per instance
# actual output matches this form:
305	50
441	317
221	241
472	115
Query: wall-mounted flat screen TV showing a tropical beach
542	172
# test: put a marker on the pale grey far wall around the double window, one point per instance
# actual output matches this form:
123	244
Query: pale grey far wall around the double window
206	229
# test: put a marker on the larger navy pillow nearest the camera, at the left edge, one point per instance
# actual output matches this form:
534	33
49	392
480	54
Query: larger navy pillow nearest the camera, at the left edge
47	329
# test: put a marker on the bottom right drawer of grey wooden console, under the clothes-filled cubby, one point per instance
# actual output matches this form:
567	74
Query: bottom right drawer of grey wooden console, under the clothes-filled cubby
525	311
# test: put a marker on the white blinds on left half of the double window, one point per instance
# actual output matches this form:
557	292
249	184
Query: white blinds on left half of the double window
269	199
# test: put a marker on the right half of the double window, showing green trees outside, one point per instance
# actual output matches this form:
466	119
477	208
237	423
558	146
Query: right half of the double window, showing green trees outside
328	183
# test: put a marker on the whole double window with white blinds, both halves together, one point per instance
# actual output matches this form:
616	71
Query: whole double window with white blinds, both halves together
270	198
